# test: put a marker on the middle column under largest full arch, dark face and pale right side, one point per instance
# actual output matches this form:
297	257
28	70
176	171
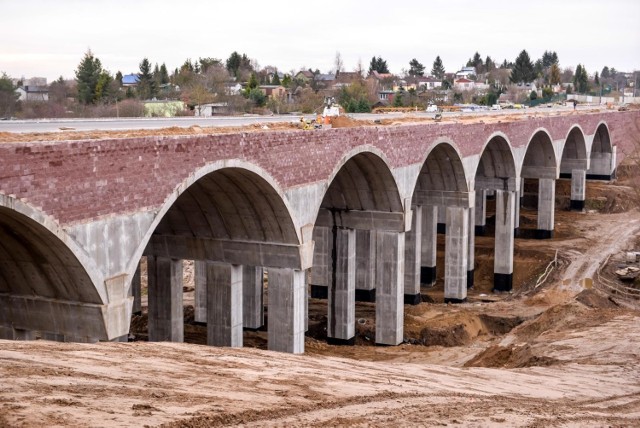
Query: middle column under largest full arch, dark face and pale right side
224	304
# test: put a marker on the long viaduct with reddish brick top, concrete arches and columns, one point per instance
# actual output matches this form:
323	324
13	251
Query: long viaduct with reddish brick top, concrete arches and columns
340	213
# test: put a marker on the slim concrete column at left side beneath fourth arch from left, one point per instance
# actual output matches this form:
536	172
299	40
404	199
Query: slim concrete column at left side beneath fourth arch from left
413	259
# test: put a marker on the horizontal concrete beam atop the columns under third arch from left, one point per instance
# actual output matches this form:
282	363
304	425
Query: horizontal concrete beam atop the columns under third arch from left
363	220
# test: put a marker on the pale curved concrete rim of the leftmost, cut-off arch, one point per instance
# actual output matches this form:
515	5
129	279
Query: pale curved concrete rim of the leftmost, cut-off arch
50	224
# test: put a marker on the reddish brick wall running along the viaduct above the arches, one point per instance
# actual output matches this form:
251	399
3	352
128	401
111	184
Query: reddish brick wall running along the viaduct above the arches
76	181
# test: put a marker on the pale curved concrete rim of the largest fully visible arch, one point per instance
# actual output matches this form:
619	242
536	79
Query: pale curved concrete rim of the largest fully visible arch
192	179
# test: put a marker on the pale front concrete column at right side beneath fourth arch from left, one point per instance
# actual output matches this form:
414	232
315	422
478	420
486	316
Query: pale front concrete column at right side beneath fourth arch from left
456	255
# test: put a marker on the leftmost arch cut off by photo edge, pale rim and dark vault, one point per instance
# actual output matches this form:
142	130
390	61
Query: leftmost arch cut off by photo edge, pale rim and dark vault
38	258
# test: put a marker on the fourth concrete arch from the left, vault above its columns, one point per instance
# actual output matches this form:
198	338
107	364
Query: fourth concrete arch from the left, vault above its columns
442	169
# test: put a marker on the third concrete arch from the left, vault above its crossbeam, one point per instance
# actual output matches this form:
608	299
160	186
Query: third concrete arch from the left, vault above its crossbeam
362	180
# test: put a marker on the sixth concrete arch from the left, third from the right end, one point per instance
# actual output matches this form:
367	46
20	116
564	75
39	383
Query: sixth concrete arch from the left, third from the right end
540	157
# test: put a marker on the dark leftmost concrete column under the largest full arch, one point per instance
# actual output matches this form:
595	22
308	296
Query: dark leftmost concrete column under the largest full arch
166	318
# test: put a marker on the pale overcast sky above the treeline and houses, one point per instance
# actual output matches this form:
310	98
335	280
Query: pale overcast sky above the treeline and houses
49	37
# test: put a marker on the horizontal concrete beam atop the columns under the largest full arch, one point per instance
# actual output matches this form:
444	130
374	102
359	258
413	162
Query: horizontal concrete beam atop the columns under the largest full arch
253	253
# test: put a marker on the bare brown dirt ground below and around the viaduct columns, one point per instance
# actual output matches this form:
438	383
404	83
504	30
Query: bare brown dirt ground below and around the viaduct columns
559	351
